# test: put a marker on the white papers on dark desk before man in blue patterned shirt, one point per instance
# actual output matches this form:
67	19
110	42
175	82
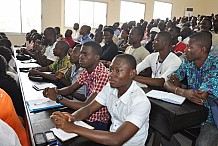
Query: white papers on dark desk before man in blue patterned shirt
166	96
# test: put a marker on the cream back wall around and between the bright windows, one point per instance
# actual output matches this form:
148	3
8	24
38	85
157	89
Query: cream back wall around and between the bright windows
53	12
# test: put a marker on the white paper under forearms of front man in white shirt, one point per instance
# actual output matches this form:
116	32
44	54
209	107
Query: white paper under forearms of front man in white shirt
64	136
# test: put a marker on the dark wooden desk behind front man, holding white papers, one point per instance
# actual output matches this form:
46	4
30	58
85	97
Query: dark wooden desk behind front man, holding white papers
166	118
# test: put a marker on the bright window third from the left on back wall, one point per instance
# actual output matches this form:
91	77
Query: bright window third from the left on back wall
131	11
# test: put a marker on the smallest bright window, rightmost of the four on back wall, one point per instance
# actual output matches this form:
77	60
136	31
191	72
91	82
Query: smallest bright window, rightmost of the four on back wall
162	10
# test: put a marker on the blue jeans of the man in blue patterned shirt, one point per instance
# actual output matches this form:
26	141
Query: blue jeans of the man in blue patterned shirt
208	136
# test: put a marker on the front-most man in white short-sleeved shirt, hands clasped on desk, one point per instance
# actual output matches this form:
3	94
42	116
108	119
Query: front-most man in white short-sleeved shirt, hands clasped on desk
127	104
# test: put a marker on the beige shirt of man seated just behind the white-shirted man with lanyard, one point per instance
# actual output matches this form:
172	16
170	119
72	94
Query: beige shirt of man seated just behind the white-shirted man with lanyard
139	53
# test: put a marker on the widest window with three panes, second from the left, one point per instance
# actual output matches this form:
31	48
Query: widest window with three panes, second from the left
85	13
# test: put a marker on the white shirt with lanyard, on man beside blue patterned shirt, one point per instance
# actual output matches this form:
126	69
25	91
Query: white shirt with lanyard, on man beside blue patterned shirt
160	70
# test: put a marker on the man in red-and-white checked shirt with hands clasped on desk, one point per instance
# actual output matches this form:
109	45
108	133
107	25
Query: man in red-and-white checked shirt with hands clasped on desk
94	77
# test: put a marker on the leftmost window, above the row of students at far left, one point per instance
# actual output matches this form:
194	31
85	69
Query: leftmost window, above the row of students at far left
20	16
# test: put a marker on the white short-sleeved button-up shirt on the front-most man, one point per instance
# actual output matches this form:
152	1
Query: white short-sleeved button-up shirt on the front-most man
133	106
